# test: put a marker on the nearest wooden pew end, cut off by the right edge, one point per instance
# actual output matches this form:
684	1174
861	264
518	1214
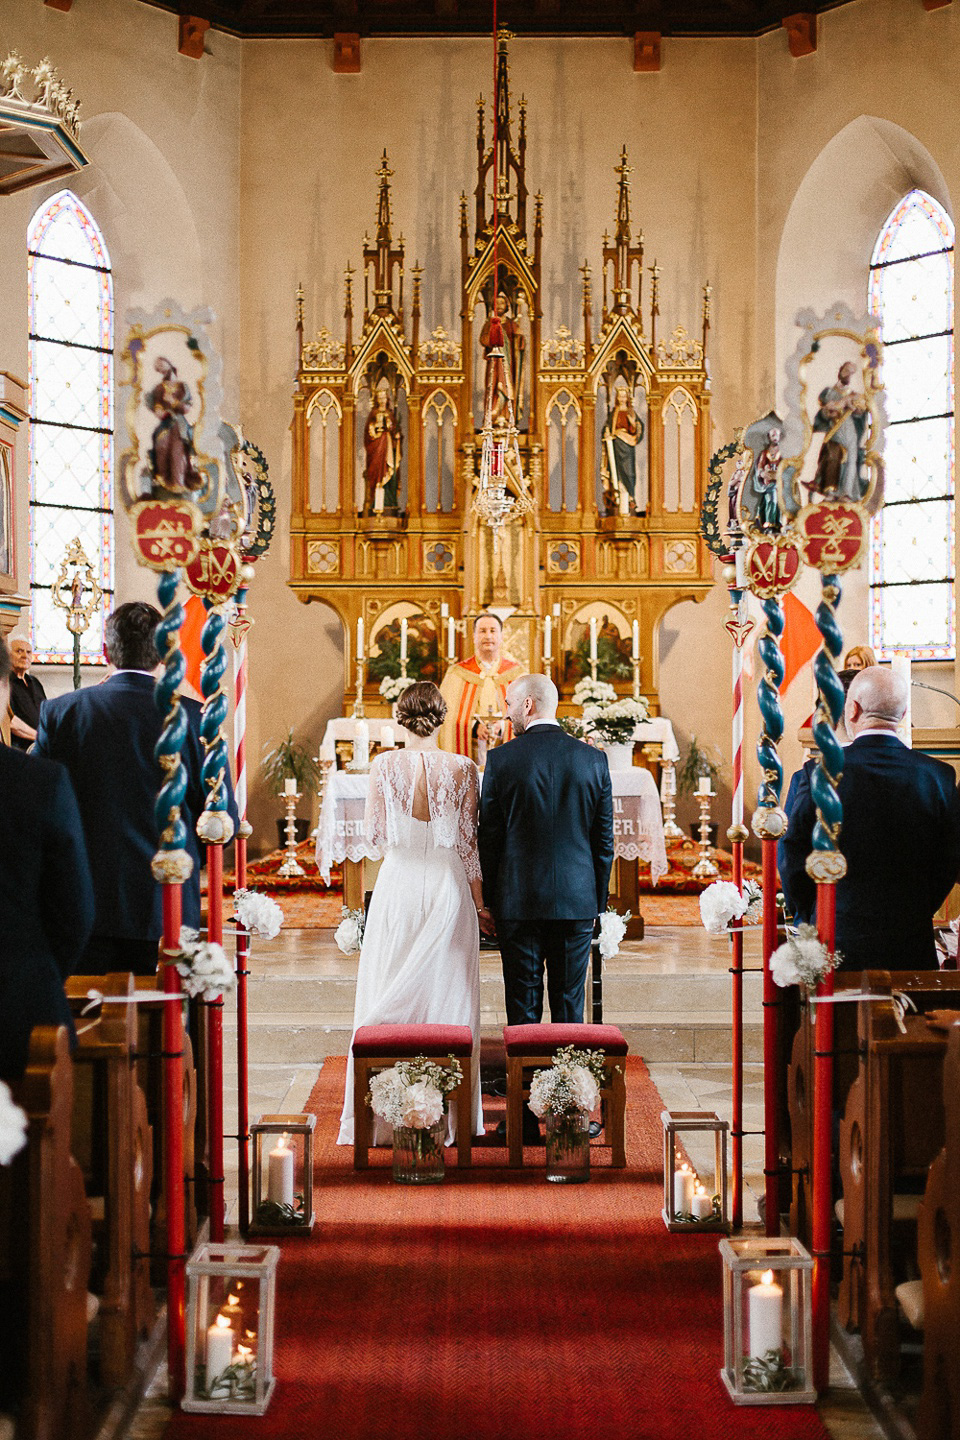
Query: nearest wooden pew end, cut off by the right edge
939	1254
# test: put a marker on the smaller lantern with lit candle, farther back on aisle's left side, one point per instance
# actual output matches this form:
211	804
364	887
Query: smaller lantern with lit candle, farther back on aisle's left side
283	1176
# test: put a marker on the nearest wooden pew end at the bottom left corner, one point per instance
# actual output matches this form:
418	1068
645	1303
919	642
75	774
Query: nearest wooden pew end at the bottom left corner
45	1252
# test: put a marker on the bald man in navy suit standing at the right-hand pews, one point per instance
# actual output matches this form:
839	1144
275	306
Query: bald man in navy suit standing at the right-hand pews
900	836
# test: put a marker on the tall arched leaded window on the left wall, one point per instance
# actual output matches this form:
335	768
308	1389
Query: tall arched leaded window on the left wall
71	374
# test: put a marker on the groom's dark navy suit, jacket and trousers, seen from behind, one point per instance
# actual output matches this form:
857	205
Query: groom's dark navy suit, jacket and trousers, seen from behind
546	847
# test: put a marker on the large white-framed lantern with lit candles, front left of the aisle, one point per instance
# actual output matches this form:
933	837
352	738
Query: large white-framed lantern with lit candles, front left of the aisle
231	1304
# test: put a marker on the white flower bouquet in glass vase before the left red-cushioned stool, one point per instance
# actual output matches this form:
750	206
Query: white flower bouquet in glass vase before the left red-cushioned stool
412	1097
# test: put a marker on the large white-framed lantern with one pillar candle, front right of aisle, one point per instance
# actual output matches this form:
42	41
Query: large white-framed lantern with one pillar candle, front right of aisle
768	1326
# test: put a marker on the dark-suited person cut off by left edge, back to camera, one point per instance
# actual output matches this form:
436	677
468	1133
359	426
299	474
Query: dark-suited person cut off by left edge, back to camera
47	899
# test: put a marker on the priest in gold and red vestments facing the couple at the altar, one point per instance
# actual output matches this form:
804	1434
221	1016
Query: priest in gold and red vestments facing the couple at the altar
476	693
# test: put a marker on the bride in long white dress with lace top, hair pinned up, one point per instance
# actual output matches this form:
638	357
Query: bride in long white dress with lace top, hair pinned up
421	948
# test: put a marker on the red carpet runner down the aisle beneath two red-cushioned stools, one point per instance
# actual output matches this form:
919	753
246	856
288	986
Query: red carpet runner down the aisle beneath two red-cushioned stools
500	1308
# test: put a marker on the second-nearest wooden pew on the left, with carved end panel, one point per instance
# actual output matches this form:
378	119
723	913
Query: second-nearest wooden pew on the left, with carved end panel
114	1146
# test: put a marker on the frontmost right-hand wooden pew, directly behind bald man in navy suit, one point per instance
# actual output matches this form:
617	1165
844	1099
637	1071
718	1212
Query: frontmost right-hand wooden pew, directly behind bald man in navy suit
928	989
